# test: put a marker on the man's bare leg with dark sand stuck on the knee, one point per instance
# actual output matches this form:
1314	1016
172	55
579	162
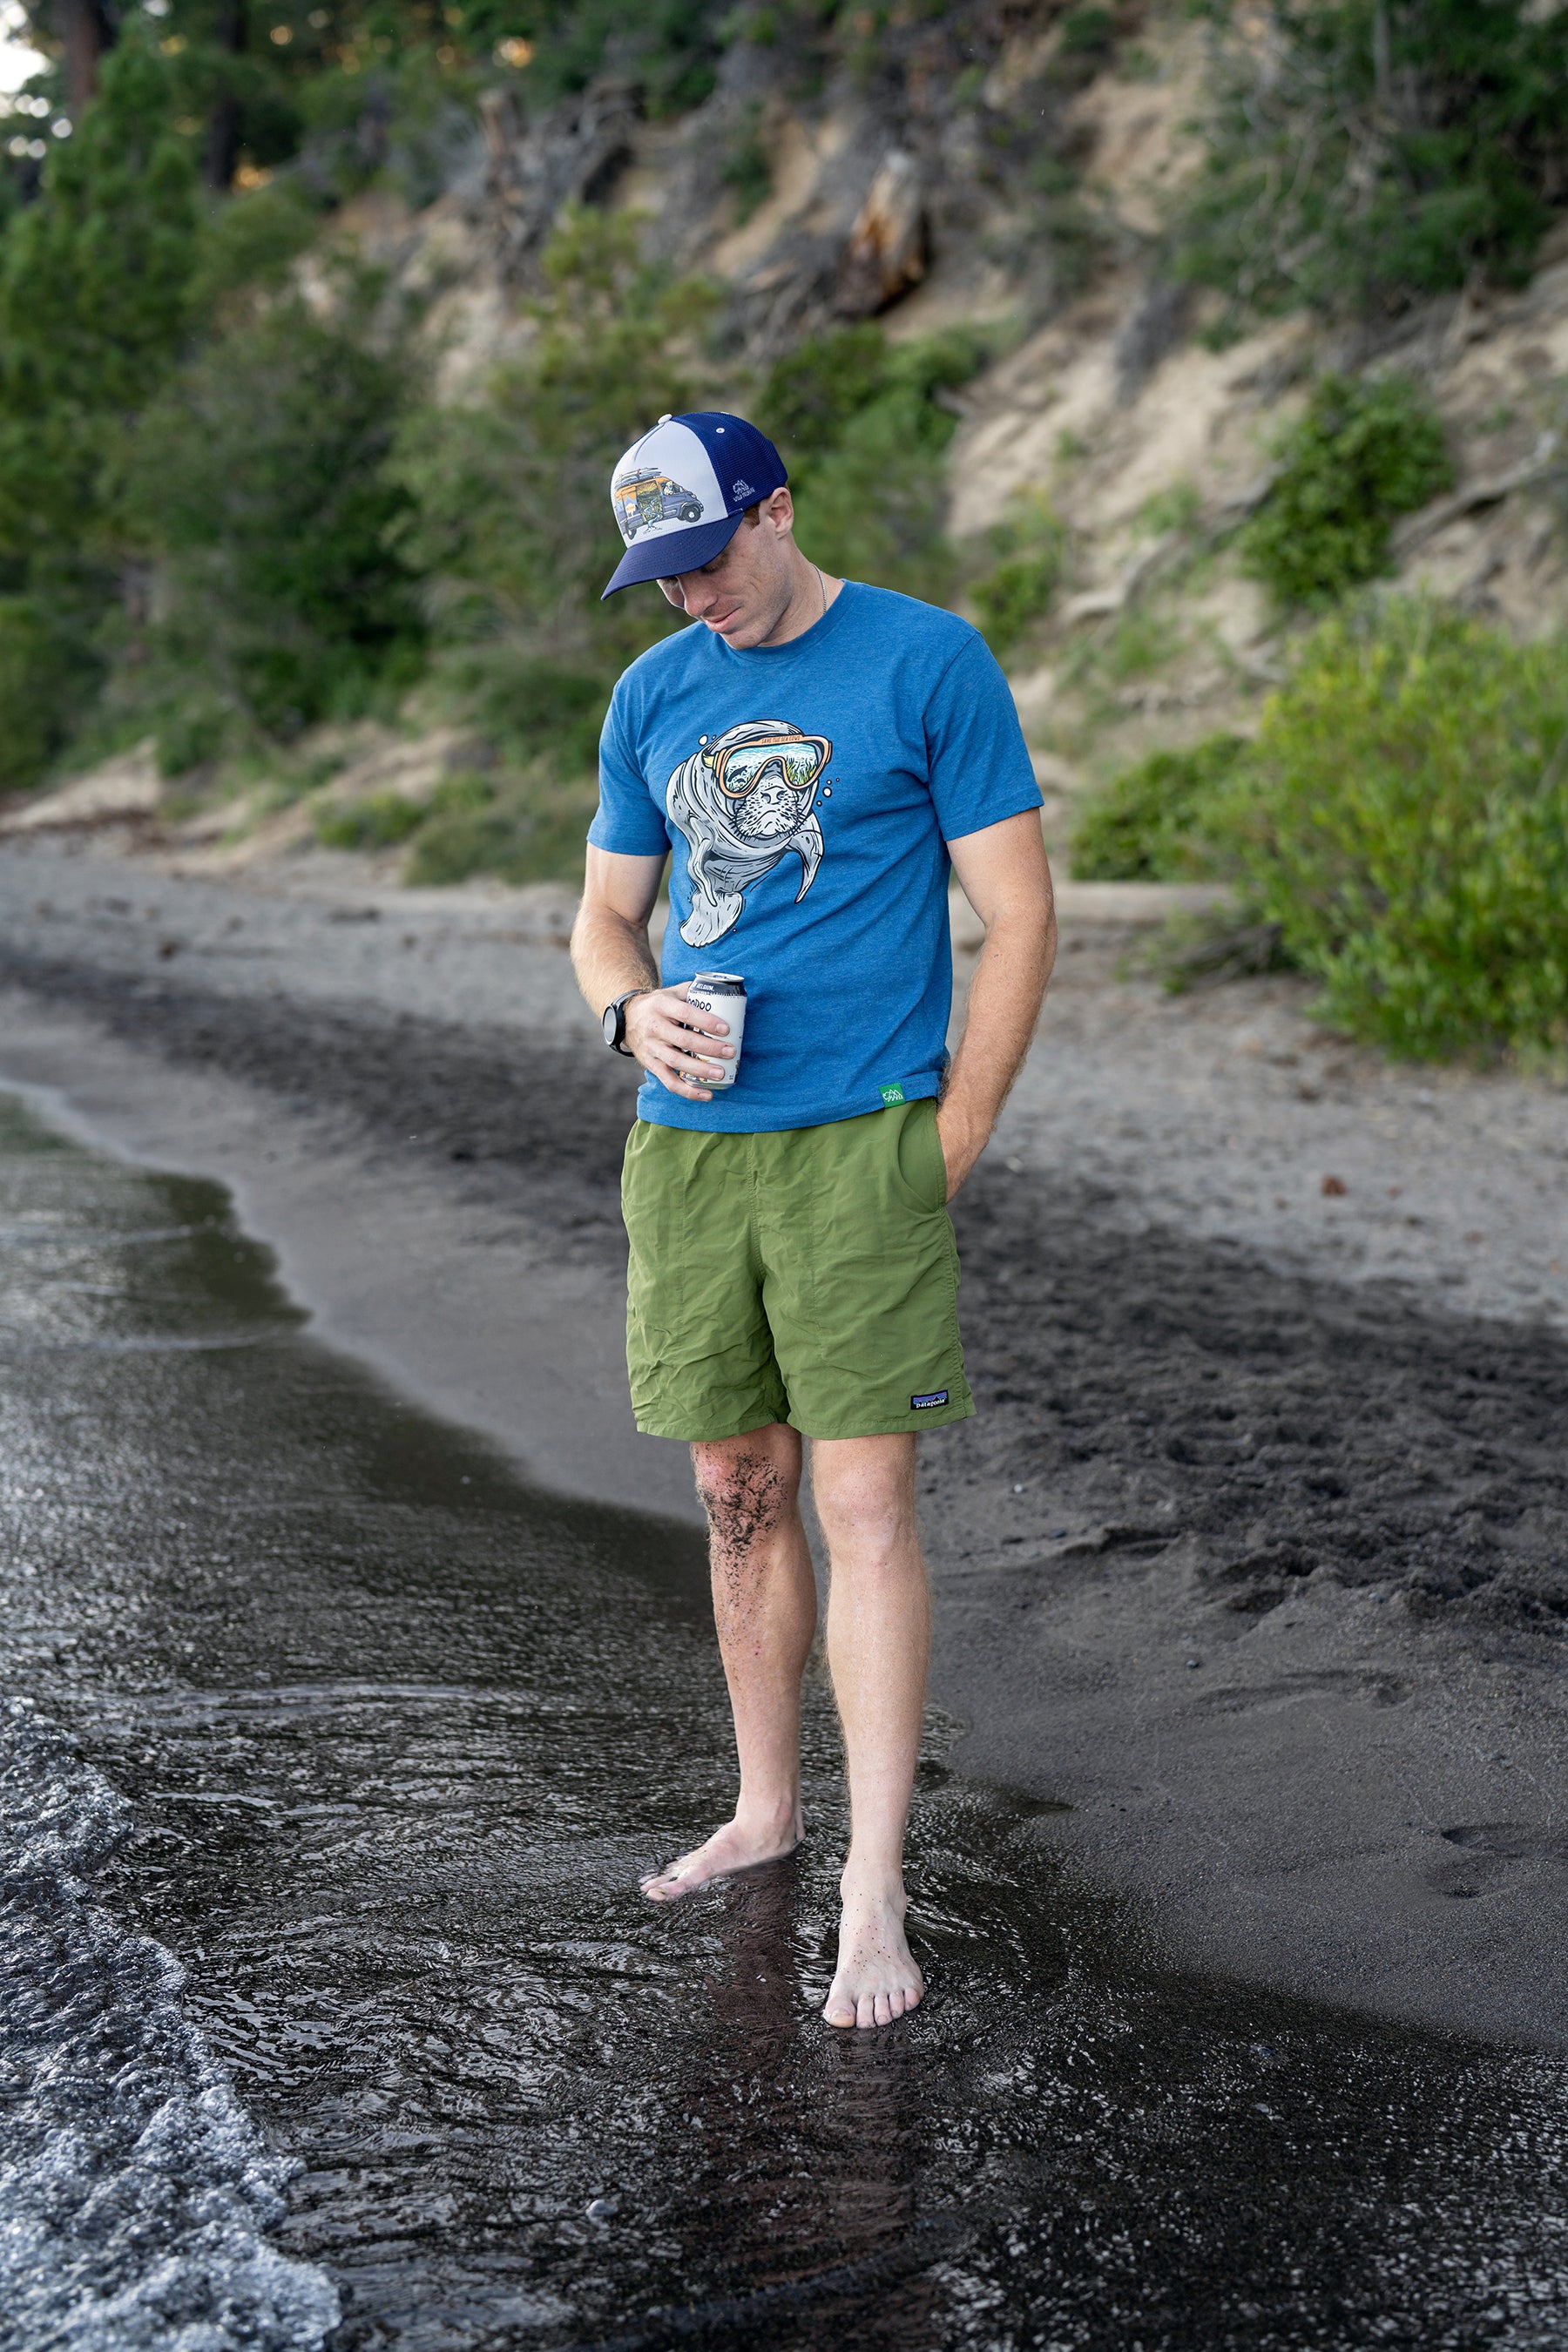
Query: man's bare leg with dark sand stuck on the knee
765	1610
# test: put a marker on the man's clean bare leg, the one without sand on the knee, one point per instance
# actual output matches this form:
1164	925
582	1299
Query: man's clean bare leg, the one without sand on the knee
878	1652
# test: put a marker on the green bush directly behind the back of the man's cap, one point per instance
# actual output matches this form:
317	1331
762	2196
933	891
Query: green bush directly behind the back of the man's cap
862	427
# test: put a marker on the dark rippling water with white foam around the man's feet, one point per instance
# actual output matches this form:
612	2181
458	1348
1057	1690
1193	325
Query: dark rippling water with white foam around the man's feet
398	1737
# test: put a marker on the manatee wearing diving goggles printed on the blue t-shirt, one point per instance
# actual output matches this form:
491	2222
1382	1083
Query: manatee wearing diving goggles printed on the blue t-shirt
746	803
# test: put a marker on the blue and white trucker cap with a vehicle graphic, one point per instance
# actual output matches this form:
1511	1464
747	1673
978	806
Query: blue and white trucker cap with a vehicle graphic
683	488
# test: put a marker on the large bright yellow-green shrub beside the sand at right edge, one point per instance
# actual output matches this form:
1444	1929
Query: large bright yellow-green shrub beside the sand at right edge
1405	820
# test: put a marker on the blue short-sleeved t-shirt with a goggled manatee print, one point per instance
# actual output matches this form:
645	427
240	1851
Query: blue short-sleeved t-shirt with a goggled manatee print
808	794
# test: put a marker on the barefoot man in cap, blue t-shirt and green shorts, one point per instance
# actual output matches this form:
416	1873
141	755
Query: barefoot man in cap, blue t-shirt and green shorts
817	754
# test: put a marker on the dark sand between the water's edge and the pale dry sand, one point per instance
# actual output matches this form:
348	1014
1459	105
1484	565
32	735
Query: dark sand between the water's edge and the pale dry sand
1259	1572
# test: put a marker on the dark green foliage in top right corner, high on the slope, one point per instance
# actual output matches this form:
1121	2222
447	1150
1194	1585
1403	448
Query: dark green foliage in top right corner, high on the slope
1372	152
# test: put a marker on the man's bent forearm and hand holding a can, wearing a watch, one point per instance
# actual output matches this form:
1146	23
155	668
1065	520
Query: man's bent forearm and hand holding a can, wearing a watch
610	954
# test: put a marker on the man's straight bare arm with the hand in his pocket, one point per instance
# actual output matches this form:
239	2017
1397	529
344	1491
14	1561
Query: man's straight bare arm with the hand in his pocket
1005	876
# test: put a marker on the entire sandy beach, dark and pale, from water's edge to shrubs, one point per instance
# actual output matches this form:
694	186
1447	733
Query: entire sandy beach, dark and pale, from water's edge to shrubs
1257	1556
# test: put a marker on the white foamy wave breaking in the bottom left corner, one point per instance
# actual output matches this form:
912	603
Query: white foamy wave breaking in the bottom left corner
135	2191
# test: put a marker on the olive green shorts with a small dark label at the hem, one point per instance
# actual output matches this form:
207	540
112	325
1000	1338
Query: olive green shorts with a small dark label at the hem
805	1276
